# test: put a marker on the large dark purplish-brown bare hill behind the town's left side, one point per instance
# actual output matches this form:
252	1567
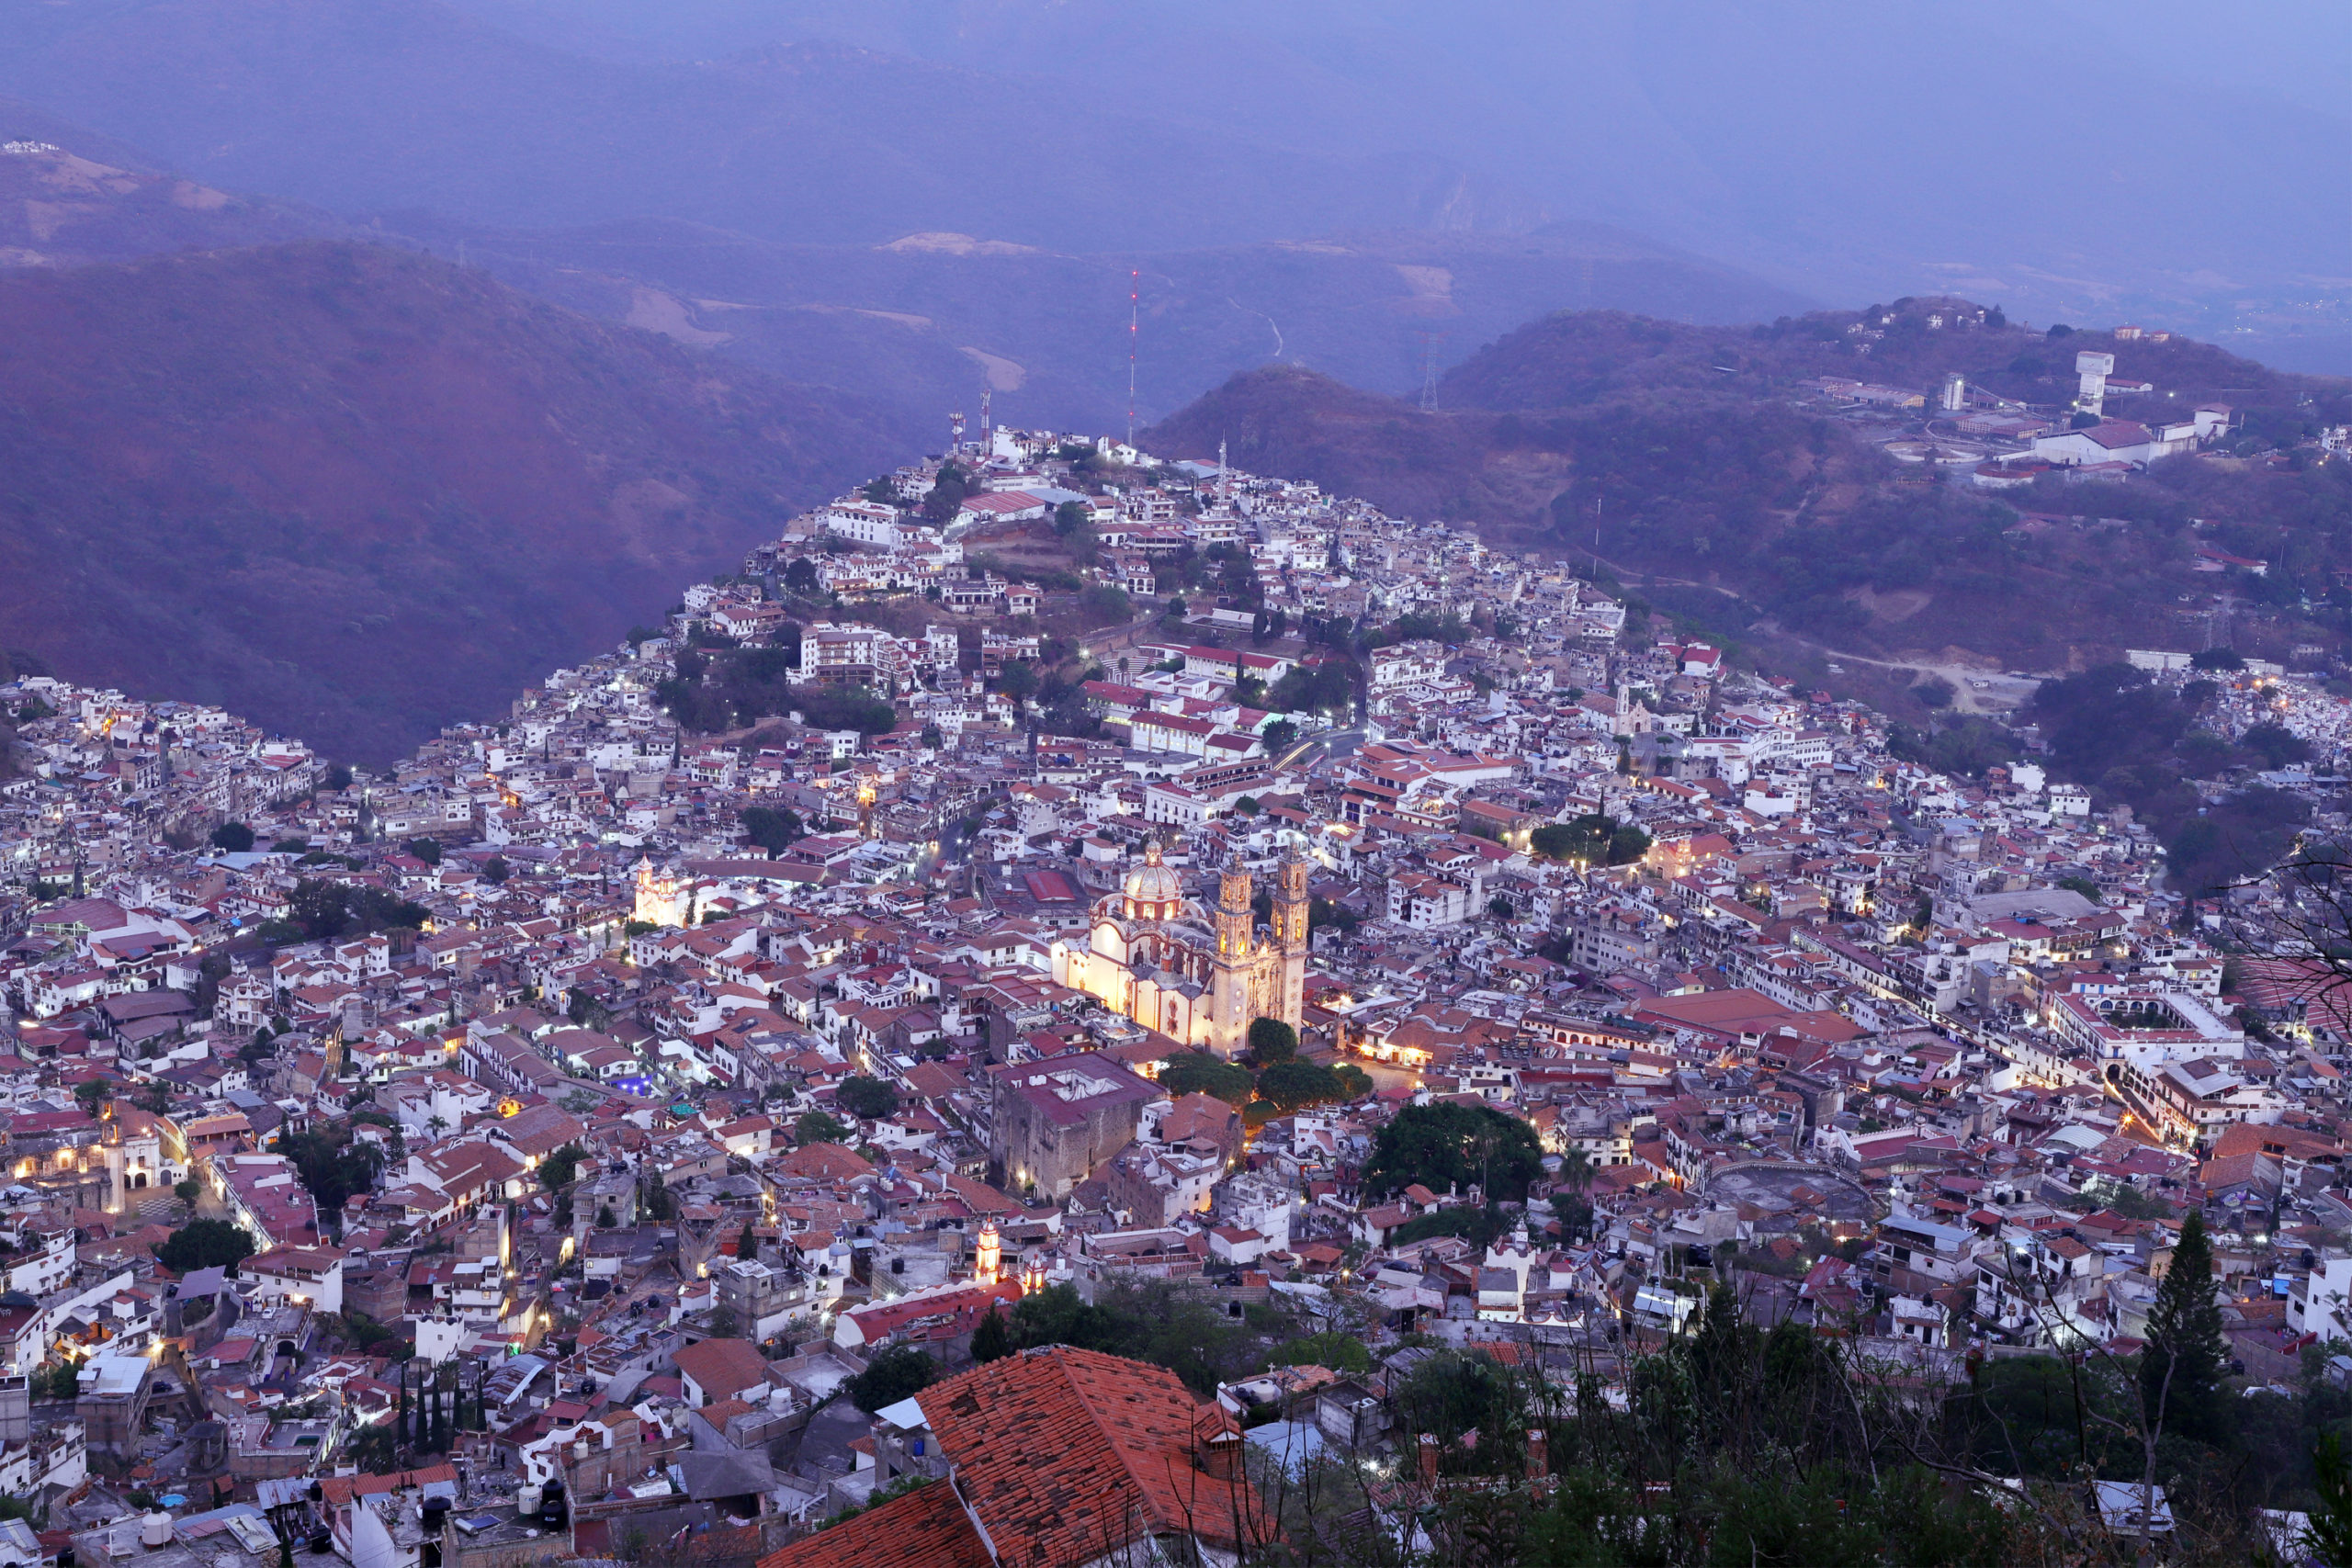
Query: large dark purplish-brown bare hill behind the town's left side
356	492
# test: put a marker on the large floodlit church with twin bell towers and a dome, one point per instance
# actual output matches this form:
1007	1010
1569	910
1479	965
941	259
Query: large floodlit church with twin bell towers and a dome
1198	977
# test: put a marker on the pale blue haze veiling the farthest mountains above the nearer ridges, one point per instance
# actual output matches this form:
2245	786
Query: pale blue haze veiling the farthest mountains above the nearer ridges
2031	156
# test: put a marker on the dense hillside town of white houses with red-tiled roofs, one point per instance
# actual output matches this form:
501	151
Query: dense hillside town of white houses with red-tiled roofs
603	1130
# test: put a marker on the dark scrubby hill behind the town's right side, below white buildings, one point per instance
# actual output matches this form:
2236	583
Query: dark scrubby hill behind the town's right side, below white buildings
1699	469
